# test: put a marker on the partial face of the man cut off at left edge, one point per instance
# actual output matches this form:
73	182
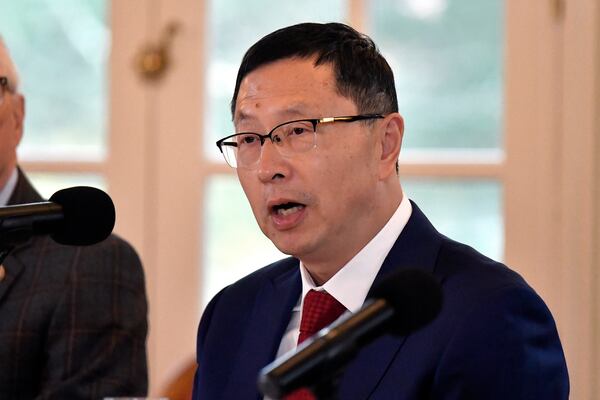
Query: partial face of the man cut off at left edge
11	127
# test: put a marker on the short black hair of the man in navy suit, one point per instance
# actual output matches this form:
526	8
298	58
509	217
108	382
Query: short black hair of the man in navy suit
361	72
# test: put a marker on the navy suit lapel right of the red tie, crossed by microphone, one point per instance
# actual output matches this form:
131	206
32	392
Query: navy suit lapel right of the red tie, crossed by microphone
417	247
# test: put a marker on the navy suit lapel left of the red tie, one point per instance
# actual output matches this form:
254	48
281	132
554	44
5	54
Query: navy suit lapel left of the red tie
271	314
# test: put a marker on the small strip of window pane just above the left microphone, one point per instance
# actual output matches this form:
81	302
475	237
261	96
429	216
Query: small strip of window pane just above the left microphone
47	183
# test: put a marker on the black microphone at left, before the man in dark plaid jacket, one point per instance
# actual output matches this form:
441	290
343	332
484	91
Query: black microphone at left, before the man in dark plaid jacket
77	216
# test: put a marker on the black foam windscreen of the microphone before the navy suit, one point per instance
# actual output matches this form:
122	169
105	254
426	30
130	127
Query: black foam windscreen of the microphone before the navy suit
415	296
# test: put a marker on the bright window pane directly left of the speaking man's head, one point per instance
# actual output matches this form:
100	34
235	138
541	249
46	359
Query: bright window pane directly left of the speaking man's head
229	39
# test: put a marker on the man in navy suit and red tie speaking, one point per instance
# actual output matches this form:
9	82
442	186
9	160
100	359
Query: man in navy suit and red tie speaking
316	150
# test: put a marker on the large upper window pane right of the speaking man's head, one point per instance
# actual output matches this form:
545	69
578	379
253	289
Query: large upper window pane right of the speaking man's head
447	61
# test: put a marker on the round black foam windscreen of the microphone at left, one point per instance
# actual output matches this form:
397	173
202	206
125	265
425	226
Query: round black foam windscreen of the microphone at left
88	216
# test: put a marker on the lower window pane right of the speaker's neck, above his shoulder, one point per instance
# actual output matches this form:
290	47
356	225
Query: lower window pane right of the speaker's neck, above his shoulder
469	211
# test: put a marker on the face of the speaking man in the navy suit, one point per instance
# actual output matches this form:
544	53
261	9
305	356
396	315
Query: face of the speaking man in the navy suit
315	205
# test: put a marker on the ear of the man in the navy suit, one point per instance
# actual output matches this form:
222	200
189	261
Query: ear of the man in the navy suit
391	142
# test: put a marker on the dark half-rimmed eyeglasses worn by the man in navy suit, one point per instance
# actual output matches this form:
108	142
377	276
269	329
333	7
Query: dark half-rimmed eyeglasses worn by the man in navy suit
292	137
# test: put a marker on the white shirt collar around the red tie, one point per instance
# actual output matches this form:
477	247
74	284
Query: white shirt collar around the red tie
352	282
